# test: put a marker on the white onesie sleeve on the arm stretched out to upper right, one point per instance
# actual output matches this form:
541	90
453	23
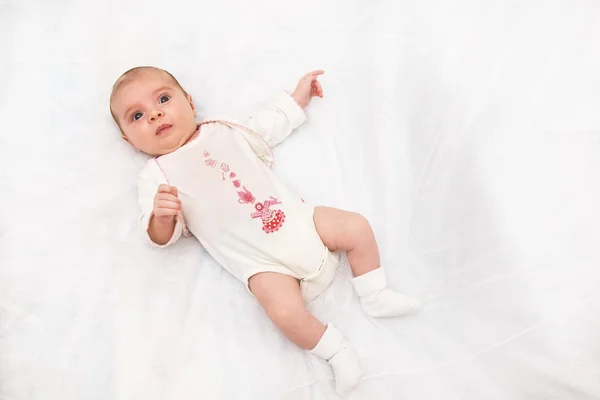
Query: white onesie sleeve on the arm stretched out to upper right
275	122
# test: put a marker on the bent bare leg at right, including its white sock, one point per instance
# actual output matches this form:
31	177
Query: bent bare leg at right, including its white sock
351	232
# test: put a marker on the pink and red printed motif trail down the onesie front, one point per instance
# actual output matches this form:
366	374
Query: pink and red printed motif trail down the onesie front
272	220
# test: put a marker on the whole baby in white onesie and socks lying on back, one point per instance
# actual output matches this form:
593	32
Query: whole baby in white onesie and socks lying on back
213	180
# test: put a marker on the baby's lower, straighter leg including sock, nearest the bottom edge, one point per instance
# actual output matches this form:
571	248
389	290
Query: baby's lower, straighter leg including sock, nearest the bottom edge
281	298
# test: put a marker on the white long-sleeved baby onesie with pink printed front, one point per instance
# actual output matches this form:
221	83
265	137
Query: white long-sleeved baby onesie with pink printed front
235	205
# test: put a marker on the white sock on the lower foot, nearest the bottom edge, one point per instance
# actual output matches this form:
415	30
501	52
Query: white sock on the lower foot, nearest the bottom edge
340	354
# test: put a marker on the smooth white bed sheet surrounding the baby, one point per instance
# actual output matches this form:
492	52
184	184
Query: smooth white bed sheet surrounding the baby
467	131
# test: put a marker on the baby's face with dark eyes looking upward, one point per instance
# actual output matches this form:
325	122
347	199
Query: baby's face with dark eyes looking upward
155	115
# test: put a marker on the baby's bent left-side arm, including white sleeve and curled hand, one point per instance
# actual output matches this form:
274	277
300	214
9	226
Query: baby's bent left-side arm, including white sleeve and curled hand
159	206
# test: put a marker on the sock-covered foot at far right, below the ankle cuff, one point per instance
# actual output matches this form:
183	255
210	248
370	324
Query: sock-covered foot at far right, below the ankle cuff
387	303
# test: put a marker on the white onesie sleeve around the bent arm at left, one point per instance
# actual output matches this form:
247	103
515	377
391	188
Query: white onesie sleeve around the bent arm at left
149	179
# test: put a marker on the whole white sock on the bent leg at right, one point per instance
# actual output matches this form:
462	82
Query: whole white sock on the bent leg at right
377	300
